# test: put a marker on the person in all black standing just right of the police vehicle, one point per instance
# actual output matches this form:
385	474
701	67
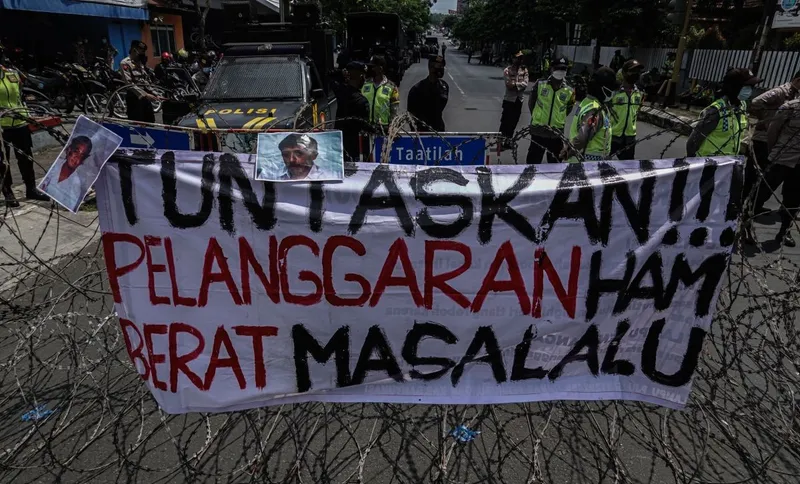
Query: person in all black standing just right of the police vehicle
352	110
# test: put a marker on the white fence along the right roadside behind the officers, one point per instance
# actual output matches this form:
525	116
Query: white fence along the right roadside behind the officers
709	65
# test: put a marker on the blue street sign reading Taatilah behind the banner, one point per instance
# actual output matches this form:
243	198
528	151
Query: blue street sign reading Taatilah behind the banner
433	150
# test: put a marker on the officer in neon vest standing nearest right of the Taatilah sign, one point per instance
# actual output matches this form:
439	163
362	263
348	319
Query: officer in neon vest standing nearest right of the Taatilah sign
550	102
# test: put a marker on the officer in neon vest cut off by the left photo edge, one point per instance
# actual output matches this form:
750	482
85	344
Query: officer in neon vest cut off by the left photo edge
16	135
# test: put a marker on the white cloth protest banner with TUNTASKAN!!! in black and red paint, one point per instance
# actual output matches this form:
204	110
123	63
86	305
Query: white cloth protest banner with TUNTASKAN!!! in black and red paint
415	284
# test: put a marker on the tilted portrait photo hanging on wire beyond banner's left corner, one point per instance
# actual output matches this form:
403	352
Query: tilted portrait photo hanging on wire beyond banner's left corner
79	163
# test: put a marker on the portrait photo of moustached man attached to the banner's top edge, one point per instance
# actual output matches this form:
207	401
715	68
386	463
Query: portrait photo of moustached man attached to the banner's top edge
298	157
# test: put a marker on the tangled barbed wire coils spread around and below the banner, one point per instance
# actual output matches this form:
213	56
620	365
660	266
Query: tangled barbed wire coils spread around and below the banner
75	409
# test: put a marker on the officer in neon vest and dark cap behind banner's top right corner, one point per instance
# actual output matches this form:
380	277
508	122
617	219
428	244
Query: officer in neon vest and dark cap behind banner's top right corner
723	124
